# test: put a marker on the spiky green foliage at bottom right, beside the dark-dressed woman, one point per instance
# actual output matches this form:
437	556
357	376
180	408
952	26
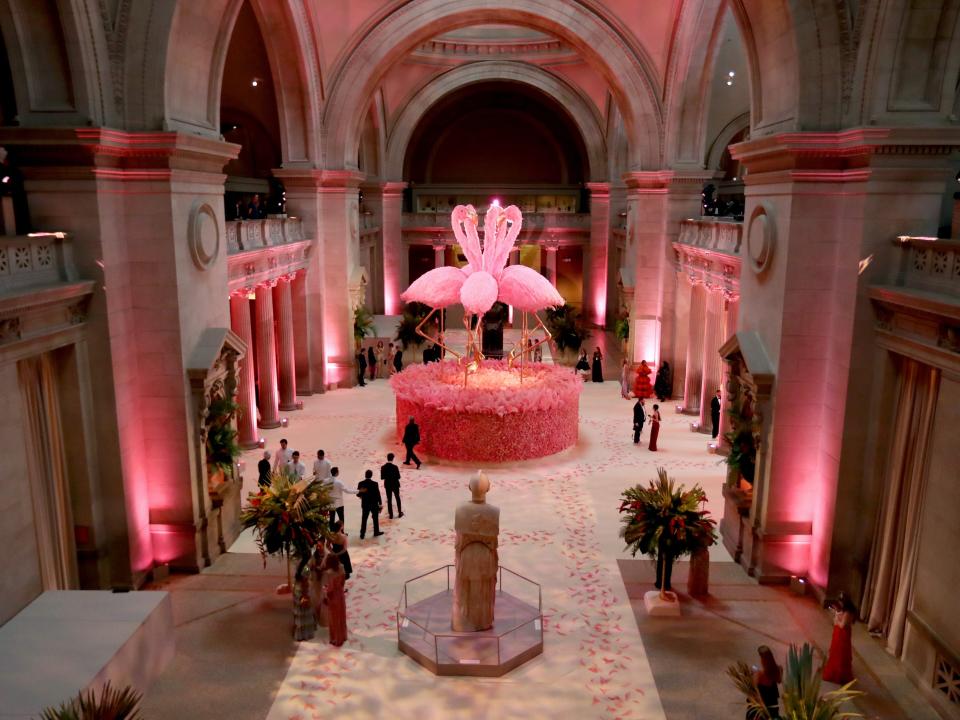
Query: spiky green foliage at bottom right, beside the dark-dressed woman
801	690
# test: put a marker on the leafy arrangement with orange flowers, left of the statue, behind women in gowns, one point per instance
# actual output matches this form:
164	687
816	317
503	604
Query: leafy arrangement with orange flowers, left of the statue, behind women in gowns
288	517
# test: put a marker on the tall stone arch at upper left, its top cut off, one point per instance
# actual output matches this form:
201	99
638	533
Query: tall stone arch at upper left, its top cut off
173	80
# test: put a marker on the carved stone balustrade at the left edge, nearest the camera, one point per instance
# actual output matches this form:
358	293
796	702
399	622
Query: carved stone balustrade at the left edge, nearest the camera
35	260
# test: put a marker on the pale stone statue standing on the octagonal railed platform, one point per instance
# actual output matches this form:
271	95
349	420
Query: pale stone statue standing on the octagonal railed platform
474	593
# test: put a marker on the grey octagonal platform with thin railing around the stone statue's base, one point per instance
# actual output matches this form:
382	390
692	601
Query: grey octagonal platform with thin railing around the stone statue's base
424	634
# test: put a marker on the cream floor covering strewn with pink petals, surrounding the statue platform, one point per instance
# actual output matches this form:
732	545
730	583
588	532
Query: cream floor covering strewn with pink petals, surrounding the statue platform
559	527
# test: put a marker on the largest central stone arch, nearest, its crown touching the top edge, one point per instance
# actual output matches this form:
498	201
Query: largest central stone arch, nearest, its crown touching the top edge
626	68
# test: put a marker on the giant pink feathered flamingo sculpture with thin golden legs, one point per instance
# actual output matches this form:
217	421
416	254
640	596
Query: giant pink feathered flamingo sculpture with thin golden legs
484	279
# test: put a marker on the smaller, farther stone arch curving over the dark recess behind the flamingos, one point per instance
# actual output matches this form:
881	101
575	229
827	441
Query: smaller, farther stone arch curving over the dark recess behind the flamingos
585	115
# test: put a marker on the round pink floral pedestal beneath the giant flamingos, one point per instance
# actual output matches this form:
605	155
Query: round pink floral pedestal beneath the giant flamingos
495	418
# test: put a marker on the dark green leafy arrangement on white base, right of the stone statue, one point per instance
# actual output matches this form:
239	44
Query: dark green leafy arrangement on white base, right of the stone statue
663	516
